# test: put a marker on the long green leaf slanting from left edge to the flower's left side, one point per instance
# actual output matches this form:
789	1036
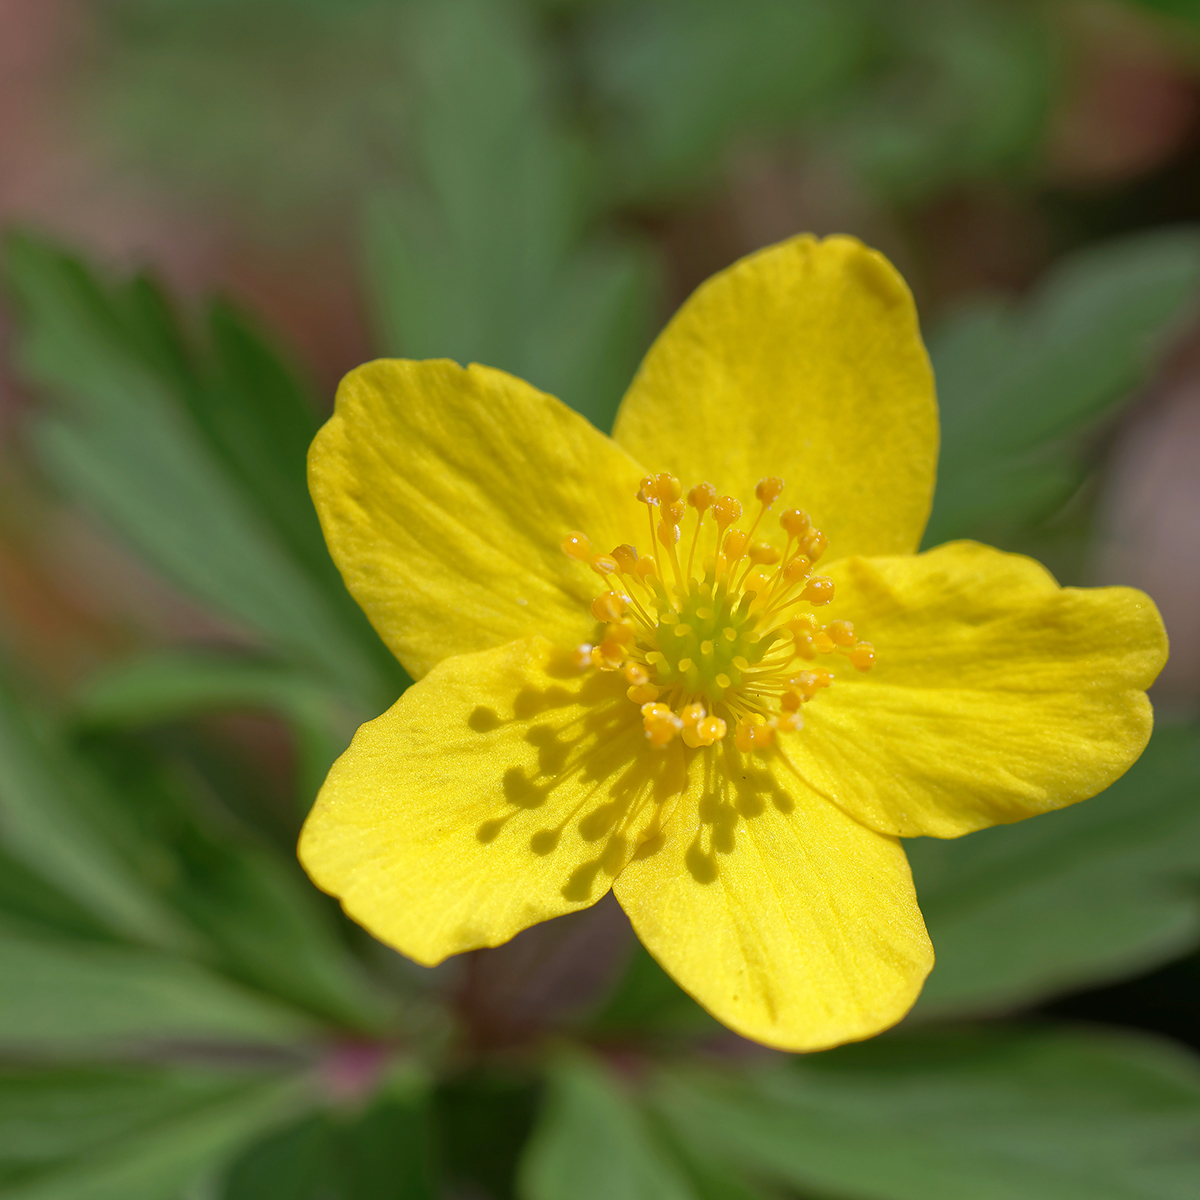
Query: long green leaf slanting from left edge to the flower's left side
122	440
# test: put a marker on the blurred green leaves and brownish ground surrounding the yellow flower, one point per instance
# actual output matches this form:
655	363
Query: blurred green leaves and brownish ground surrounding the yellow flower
213	209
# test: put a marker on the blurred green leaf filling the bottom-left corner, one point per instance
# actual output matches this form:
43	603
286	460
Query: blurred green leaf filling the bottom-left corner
129	1133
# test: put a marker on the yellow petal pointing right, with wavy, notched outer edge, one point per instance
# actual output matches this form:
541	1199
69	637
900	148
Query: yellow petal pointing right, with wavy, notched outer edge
995	695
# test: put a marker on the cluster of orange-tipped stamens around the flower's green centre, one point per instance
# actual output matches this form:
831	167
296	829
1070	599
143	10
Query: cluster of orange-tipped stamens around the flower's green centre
717	638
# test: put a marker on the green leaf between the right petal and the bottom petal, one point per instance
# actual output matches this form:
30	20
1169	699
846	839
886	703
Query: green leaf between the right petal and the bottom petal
1106	889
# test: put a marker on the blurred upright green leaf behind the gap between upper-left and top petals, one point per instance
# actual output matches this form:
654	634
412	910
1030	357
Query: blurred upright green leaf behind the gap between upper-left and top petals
493	260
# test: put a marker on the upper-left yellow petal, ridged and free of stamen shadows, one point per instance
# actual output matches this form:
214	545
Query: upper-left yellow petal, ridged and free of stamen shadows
446	494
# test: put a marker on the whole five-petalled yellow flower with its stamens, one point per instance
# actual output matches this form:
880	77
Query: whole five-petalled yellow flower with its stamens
628	680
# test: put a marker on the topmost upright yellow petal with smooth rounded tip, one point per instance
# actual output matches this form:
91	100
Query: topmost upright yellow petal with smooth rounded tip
806	362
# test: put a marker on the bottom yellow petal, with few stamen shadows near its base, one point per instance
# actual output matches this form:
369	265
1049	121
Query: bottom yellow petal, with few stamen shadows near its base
787	920
